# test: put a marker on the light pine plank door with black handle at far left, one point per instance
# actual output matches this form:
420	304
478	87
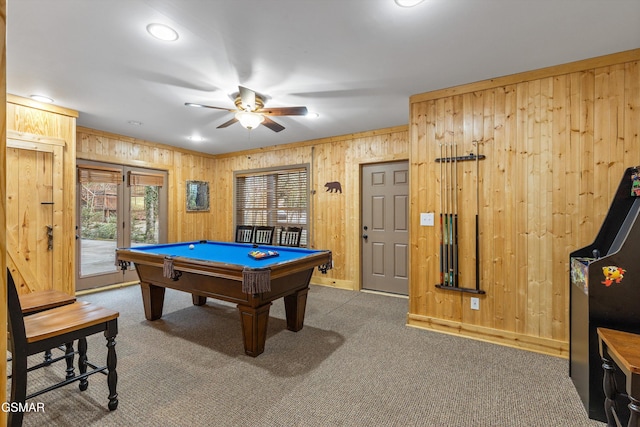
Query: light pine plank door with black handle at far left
34	212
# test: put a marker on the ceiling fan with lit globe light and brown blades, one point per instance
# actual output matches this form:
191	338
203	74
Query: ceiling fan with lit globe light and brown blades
250	111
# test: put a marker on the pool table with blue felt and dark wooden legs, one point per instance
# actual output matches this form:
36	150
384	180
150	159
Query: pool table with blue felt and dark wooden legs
227	272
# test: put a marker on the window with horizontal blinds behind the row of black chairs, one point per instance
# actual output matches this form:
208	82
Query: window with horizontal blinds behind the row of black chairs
278	198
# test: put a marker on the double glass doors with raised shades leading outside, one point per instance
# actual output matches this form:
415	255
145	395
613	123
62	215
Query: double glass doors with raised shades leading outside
118	206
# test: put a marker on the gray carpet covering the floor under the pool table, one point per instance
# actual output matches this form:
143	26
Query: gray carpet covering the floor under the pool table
355	363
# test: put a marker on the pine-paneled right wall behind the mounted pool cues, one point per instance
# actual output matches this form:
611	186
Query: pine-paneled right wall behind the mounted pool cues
557	142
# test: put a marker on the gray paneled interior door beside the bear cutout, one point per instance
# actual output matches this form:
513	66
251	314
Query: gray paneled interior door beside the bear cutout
385	234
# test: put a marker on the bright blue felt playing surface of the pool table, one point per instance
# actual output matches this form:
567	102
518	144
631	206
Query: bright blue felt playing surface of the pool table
227	252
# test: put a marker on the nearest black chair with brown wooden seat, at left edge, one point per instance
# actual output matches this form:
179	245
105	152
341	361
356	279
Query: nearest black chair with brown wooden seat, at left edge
51	328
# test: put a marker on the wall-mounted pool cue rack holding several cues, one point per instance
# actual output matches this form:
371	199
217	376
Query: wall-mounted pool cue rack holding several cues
449	267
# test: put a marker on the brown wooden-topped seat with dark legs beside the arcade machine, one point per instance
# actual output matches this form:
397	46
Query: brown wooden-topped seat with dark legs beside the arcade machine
620	350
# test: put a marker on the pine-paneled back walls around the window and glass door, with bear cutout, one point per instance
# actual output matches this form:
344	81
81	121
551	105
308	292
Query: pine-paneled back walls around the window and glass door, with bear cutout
335	218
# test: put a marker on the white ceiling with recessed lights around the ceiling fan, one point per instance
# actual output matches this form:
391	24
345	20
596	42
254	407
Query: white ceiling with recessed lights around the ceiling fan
354	62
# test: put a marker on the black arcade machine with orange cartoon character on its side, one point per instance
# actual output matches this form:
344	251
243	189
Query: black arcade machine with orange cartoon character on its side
605	292
